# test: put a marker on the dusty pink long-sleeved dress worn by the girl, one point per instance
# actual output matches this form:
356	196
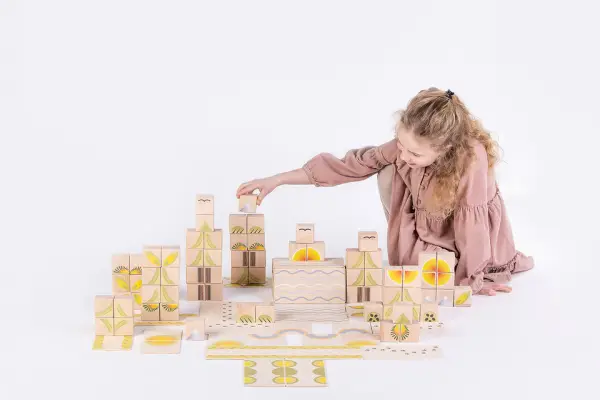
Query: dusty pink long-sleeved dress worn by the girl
478	232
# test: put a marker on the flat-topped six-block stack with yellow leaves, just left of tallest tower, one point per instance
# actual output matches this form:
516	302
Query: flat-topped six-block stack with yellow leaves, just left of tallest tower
160	283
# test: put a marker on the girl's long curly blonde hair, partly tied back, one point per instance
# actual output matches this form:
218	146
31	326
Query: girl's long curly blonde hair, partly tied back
442	118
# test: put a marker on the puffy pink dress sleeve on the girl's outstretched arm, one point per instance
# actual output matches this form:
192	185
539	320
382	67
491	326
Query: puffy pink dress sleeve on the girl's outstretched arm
358	164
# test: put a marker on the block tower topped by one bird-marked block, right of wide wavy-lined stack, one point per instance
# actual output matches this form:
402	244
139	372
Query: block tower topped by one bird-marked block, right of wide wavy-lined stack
364	270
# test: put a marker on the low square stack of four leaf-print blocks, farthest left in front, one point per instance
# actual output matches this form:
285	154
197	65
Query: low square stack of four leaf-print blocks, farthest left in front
114	315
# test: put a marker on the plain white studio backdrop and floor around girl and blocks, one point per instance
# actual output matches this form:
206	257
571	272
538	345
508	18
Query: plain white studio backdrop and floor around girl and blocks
114	114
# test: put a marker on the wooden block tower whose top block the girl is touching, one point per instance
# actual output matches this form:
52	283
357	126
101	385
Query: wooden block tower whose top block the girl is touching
247	244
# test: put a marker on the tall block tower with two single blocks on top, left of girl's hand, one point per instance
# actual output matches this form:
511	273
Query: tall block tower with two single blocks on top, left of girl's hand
204	254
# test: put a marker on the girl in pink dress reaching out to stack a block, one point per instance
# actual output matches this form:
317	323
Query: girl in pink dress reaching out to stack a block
437	186
